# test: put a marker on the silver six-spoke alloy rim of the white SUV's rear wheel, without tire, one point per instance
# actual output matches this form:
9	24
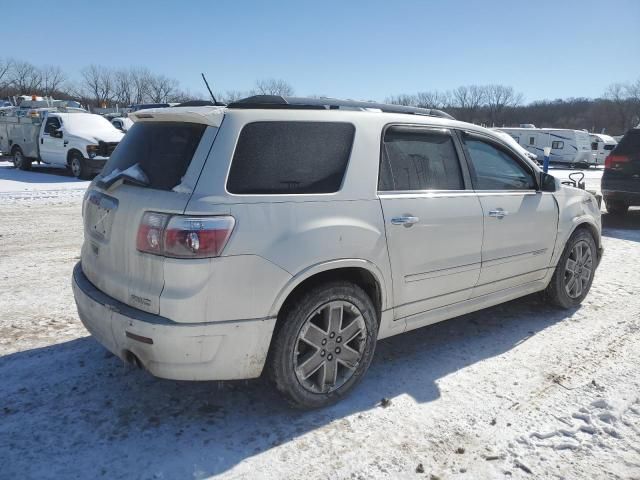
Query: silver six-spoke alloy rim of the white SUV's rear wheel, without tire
329	347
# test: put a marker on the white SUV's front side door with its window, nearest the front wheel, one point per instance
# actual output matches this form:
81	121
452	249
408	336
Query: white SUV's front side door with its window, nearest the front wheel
520	222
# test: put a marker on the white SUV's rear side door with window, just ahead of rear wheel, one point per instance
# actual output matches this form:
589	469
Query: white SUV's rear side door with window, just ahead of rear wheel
432	221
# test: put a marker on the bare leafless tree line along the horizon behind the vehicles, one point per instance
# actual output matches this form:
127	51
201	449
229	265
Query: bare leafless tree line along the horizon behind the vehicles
614	112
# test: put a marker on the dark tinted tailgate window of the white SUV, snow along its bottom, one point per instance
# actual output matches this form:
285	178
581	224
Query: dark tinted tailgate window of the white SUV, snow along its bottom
163	150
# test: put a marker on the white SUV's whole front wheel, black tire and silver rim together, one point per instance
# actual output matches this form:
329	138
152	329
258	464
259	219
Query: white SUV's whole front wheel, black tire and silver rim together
575	270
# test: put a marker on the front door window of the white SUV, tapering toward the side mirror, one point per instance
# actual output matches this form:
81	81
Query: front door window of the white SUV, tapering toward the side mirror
497	170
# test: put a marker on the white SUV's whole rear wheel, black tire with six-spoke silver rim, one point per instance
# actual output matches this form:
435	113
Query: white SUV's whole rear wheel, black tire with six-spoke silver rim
323	345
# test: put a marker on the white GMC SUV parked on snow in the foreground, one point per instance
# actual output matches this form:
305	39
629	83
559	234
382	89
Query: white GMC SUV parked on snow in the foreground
289	235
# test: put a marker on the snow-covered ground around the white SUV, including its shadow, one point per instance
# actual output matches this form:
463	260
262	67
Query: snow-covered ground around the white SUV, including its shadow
522	390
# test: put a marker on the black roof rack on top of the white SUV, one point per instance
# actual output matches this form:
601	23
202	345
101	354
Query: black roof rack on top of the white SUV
303	103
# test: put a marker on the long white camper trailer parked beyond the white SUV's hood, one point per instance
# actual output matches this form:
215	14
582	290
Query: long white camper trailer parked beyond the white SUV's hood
572	147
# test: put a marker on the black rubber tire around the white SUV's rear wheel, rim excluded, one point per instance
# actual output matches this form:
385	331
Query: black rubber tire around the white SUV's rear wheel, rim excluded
285	346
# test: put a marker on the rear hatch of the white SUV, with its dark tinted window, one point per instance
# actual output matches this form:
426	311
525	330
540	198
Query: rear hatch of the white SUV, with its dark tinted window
162	161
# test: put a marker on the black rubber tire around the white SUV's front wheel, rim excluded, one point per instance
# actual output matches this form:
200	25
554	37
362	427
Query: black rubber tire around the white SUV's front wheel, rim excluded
557	290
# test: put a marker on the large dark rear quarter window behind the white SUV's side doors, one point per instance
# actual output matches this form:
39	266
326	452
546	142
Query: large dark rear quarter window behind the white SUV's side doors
290	158
